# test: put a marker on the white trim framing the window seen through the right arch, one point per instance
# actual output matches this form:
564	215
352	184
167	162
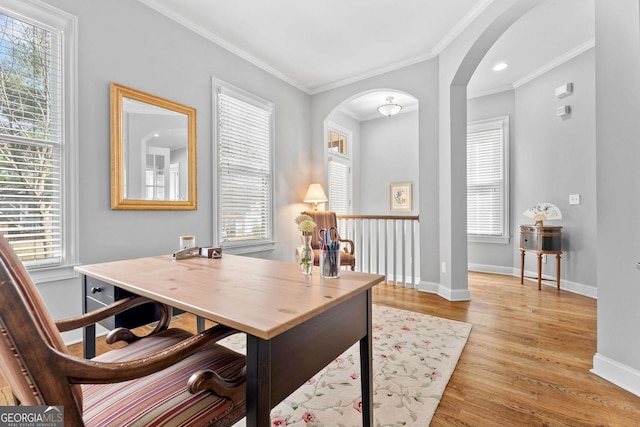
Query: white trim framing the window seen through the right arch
489	124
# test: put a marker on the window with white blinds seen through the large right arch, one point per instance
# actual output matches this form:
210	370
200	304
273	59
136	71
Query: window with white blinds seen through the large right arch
487	180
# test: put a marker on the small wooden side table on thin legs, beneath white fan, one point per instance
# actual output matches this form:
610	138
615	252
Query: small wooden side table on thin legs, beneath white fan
543	240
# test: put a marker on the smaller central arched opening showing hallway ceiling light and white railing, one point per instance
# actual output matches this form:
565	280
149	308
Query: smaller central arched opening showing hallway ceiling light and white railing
365	154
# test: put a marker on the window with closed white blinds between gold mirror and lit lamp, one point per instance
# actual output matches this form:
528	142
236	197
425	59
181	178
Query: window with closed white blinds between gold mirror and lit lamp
244	129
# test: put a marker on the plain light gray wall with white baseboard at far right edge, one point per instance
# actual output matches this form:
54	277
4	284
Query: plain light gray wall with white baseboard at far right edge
618	191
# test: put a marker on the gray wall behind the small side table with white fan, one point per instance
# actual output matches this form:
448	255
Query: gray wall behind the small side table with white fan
553	157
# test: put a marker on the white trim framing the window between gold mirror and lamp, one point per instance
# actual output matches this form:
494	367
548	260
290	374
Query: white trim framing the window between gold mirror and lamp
236	248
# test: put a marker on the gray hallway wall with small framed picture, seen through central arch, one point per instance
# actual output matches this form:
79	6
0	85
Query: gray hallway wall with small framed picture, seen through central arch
389	155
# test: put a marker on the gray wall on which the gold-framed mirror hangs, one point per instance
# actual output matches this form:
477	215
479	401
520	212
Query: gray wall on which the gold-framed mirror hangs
131	44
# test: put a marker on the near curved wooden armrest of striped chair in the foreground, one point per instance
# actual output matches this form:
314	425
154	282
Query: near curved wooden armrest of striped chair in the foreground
83	371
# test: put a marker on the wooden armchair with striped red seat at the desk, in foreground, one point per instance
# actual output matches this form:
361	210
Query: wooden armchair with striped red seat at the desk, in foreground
169	377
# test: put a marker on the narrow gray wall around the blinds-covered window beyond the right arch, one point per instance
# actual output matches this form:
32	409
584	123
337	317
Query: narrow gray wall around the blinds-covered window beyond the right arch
495	257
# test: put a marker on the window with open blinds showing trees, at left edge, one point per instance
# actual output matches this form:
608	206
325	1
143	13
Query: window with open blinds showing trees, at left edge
34	201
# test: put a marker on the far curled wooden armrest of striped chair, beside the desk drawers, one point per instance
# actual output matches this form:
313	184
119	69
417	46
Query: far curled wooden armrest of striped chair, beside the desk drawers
117	307
